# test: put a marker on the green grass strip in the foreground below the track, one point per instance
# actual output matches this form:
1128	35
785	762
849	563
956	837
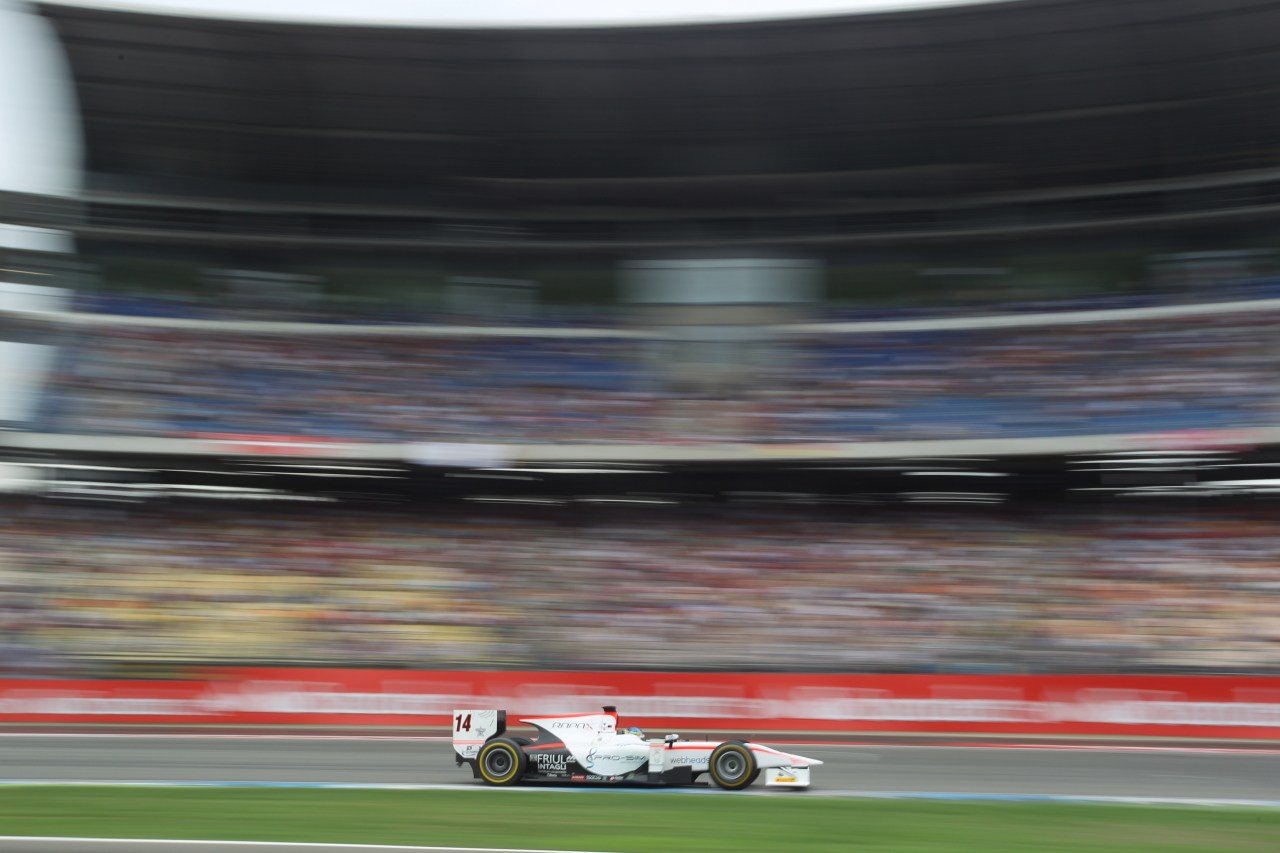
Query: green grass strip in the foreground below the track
629	822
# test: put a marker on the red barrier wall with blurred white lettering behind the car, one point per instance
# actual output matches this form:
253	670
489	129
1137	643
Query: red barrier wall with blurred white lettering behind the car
1068	705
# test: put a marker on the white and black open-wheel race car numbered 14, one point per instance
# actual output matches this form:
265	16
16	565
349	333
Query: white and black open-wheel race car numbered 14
593	749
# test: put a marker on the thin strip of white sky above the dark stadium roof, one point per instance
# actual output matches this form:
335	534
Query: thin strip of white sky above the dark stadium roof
514	12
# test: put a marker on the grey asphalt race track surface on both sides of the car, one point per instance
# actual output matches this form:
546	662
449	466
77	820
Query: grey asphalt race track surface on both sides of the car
1165	772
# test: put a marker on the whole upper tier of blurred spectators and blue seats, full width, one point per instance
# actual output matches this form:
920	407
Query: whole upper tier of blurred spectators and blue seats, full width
1190	373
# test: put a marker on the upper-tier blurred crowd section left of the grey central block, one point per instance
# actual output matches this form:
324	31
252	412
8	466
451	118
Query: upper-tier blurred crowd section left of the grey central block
371	389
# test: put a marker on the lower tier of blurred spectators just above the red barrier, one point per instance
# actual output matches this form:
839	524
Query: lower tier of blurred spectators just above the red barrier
669	587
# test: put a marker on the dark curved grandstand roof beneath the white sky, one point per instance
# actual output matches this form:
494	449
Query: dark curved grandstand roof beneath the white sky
991	98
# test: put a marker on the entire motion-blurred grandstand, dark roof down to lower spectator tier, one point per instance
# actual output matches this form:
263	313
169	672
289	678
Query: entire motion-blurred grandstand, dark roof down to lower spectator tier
934	341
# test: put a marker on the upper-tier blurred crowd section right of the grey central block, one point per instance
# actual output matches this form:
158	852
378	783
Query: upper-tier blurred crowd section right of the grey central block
1045	381
